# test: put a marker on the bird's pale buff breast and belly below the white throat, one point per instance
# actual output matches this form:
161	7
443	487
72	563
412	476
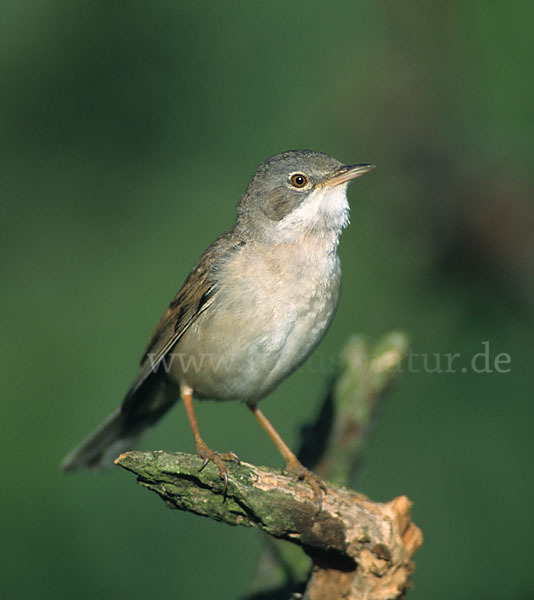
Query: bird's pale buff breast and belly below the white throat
272	308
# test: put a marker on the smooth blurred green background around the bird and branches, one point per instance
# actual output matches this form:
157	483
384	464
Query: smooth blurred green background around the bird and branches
129	131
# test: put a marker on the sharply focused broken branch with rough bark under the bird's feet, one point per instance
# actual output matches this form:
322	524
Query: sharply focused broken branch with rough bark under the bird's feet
360	549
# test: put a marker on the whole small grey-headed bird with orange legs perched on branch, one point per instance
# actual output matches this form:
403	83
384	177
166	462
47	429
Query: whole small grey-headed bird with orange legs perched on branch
253	308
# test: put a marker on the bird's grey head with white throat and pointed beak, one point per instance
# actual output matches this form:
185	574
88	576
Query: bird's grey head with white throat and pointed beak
295	192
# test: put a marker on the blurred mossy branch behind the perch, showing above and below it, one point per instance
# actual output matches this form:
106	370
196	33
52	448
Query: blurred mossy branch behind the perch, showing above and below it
333	445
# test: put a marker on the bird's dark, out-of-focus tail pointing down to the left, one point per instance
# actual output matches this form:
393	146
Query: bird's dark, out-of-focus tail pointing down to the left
122	430
